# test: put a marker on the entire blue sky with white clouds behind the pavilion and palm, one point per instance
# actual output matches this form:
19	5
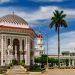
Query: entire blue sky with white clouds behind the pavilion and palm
38	14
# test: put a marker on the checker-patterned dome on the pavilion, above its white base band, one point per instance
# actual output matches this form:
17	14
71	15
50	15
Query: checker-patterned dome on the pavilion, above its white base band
14	19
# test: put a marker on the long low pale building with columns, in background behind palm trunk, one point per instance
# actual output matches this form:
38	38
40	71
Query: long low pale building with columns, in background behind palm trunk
66	55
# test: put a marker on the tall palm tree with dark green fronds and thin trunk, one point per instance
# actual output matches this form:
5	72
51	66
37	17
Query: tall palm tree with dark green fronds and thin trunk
58	20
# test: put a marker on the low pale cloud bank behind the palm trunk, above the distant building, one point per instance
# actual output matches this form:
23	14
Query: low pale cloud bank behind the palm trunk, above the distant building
67	42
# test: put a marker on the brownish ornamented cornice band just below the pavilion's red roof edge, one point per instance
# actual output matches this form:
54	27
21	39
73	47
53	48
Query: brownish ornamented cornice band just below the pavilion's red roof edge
18	31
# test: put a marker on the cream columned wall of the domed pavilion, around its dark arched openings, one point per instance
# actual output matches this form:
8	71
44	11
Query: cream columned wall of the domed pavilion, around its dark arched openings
5	58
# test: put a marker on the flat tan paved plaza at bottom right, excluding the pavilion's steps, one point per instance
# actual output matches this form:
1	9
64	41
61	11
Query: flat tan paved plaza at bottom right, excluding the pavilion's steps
57	72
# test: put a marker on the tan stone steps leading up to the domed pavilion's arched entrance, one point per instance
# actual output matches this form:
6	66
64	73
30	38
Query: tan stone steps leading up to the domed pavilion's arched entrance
17	70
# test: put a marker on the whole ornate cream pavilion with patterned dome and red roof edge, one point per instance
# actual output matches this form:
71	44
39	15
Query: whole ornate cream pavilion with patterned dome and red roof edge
16	40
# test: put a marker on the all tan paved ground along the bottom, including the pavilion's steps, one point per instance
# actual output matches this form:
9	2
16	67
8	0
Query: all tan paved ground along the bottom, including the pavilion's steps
18	70
